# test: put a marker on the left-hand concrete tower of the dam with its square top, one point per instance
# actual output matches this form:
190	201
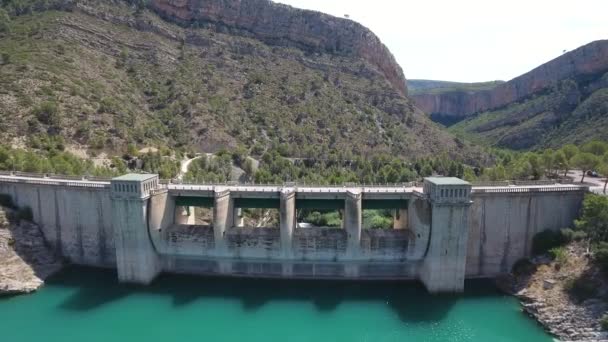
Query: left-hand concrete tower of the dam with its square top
136	259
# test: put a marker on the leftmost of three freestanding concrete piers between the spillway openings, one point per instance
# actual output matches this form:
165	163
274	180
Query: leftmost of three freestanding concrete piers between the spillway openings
223	218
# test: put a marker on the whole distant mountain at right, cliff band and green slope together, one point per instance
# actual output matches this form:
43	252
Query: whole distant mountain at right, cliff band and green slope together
560	101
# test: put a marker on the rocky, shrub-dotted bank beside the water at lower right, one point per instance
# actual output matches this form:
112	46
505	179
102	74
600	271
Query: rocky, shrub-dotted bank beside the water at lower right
566	297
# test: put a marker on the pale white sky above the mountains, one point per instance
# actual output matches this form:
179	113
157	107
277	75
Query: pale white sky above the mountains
473	40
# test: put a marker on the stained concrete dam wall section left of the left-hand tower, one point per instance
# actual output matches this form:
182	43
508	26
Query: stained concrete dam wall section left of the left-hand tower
75	216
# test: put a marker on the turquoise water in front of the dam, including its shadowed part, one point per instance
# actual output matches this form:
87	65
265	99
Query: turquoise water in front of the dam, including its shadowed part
89	305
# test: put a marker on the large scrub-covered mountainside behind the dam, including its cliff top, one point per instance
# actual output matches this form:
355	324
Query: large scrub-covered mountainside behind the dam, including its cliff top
106	74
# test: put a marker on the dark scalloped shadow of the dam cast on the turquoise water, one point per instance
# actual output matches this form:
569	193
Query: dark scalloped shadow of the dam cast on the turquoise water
95	288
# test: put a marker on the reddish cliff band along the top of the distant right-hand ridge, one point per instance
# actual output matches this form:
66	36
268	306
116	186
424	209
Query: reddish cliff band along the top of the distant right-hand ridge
589	59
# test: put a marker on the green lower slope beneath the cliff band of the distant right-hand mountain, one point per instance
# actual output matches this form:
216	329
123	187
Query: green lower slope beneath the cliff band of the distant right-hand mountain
572	111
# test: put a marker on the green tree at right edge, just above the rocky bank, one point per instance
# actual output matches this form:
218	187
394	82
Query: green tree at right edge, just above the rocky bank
594	218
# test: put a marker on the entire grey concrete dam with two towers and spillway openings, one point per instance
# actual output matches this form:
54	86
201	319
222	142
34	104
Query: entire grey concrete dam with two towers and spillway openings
444	230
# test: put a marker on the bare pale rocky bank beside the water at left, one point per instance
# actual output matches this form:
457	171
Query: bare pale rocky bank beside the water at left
25	259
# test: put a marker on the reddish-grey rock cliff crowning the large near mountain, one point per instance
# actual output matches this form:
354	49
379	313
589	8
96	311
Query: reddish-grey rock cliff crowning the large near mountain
278	23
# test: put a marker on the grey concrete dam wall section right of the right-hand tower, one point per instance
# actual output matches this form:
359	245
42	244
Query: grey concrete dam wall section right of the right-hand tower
502	223
